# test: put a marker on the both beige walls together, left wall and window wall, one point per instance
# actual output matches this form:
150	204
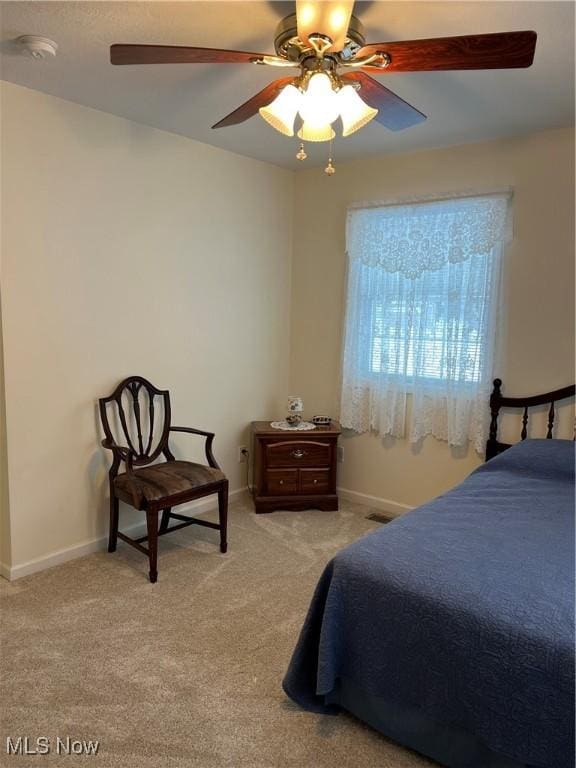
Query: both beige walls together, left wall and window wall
126	249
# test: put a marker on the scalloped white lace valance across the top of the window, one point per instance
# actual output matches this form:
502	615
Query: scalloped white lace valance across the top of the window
411	239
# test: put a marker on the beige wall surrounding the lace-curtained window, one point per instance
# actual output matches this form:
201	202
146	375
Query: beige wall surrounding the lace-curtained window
538	298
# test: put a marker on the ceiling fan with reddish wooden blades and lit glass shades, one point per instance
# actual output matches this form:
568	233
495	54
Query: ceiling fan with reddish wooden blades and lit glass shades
326	43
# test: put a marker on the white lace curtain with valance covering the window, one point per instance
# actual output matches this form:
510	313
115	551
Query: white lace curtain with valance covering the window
421	315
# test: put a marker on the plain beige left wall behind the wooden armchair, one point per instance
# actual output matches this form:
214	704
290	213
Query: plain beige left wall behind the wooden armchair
129	250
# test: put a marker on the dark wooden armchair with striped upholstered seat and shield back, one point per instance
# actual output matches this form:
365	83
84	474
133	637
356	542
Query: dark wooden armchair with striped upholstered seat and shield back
161	486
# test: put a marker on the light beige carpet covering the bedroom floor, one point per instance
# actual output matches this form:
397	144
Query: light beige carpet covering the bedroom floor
186	672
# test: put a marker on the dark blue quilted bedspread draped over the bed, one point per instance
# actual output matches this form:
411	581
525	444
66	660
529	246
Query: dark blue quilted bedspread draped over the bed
462	609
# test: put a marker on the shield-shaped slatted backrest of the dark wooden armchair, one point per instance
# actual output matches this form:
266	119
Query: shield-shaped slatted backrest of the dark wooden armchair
133	407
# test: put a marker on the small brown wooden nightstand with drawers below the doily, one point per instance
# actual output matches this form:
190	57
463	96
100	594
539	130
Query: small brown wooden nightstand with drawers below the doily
295	470
